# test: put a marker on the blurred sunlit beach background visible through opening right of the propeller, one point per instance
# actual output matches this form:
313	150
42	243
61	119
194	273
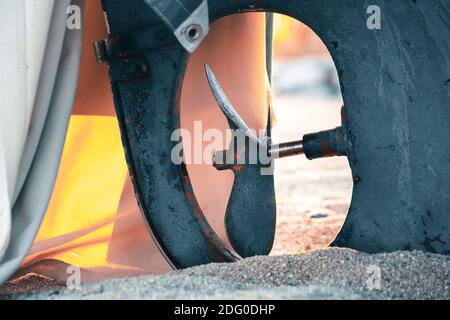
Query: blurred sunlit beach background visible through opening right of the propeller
313	196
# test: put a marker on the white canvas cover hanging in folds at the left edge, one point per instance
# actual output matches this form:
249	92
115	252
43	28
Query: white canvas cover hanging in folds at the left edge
39	63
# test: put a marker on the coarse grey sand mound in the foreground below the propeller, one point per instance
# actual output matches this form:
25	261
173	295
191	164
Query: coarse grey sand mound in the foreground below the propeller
322	274
